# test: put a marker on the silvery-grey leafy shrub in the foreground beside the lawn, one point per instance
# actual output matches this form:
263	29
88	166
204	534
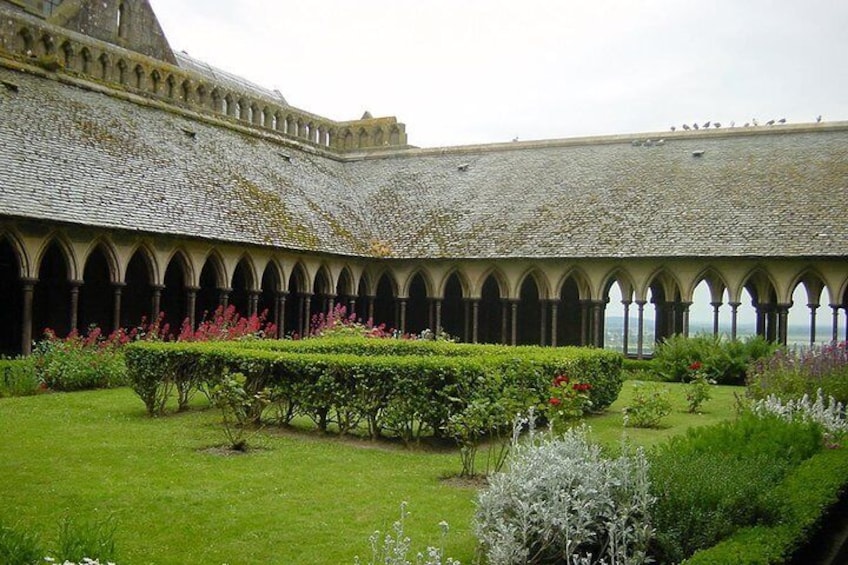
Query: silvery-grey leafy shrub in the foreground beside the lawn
561	500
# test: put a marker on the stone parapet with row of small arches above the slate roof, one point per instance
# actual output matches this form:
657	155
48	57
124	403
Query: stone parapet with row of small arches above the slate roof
33	41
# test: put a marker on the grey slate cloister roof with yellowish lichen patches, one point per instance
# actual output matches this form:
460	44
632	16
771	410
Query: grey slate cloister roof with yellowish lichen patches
81	157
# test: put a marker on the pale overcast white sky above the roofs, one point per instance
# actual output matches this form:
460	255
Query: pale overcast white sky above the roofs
478	71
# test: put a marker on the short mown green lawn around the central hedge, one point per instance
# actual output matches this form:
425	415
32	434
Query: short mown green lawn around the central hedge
301	498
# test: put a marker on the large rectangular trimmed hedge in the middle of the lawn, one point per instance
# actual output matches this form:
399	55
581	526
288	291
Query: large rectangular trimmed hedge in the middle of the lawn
393	386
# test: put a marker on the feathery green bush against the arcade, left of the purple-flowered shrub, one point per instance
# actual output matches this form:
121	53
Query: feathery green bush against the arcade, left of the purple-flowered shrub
723	360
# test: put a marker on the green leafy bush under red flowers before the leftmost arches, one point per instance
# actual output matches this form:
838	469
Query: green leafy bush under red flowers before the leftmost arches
75	364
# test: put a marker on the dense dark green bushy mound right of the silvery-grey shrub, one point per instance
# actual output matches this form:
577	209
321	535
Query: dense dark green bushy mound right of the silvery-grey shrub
718	479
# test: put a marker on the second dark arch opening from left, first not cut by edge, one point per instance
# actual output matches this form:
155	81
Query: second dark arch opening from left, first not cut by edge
52	294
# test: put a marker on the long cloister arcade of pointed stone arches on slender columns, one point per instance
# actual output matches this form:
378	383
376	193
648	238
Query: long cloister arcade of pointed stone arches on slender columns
72	279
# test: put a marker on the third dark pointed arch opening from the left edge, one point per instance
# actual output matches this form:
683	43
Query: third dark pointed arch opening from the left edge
96	295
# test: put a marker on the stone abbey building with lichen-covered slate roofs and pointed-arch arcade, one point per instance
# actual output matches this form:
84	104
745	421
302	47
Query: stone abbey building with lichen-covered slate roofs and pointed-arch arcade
135	180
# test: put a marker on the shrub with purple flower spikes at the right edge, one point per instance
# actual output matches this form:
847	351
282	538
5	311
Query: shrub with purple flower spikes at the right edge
791	374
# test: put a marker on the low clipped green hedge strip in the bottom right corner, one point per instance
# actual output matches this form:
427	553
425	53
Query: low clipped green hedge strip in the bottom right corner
807	493
